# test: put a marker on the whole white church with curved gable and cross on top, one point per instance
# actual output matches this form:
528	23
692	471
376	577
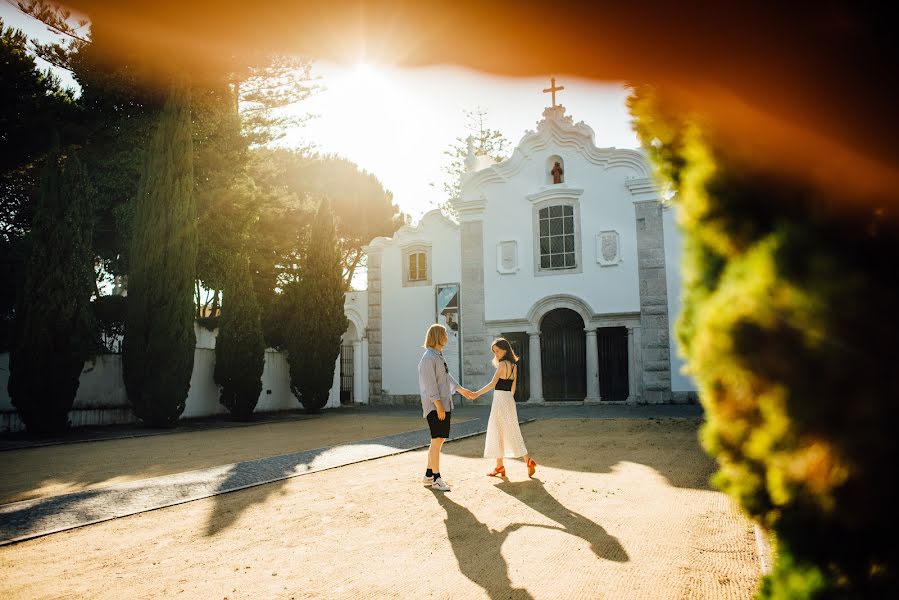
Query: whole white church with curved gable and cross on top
565	249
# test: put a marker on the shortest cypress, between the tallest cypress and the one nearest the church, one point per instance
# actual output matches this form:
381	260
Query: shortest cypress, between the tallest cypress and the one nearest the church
239	348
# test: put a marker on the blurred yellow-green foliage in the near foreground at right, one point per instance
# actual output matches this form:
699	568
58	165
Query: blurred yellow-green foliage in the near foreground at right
789	327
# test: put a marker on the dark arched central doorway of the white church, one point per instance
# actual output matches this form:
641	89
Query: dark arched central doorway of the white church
563	355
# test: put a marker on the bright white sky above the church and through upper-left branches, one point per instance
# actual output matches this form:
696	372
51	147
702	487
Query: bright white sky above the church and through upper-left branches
397	123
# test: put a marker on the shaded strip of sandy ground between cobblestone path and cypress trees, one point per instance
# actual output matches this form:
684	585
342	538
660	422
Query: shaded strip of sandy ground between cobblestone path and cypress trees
53	470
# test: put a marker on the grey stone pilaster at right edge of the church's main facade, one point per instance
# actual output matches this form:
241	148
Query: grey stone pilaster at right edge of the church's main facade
655	371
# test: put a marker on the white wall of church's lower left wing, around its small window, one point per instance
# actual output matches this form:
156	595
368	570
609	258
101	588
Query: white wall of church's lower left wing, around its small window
407	312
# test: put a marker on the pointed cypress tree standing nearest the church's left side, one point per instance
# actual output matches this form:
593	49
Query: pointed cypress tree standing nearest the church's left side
314	305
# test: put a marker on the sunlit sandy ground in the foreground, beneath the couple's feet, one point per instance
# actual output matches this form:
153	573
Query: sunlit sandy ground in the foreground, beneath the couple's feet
617	509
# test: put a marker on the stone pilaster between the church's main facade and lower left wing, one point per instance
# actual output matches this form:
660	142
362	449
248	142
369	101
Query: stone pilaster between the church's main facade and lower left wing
474	331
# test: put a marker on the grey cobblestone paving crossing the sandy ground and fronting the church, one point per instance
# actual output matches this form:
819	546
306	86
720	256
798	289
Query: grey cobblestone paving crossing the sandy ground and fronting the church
28	519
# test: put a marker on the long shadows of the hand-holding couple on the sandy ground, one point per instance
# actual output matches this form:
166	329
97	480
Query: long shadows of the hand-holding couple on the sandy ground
478	548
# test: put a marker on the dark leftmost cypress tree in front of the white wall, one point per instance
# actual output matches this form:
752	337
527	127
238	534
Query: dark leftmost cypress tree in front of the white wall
52	334
